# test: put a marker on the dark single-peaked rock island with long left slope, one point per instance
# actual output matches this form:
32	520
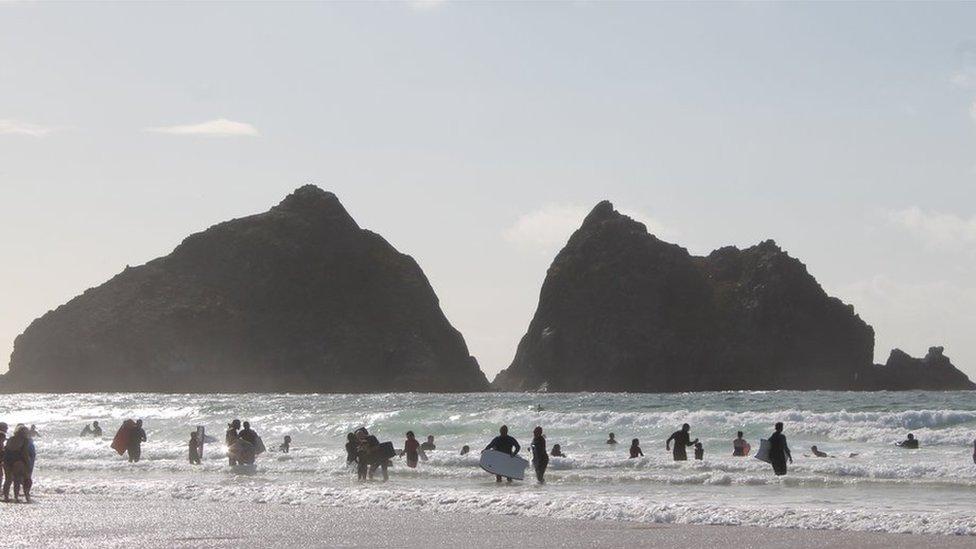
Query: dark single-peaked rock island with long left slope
298	299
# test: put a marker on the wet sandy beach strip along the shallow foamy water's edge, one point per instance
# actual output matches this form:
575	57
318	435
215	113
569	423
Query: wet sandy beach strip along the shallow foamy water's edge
74	521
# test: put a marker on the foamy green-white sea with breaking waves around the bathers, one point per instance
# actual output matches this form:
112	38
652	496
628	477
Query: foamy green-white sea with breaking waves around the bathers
883	488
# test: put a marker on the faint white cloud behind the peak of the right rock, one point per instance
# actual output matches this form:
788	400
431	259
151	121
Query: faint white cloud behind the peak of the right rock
548	228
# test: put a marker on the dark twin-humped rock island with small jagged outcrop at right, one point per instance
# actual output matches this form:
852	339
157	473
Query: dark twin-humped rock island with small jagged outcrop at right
621	310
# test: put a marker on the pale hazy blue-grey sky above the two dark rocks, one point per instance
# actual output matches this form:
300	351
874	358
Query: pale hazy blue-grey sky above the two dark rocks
476	136
